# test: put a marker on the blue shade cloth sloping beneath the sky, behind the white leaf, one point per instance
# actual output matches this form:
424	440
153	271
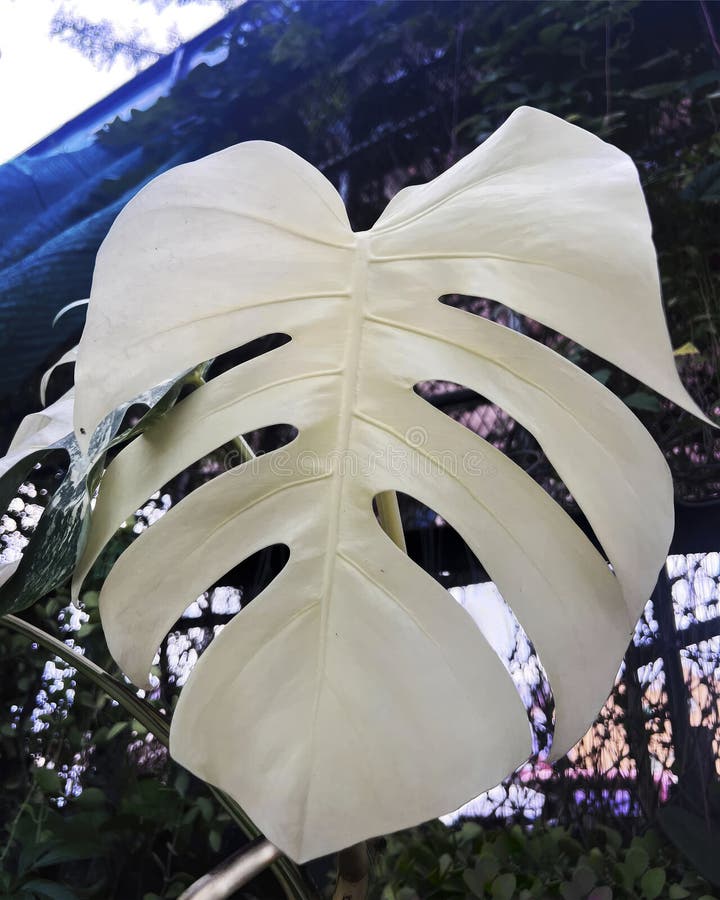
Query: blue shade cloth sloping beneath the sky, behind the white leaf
57	201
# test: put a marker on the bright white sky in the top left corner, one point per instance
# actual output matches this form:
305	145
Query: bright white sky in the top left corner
45	83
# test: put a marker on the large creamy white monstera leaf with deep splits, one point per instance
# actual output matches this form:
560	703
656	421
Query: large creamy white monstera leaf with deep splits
354	696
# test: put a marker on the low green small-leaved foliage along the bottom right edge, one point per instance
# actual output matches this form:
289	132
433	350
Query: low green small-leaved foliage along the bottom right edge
470	861
